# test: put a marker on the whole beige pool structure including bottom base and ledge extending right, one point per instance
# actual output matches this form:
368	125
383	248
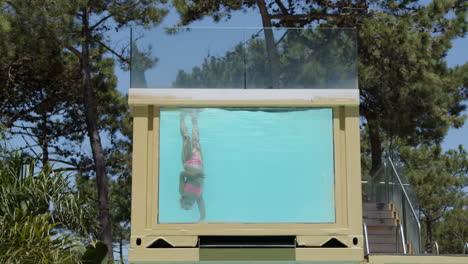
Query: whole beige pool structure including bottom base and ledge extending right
152	242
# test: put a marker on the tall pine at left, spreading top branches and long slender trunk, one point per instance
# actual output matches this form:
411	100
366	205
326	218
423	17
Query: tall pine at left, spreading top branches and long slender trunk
79	27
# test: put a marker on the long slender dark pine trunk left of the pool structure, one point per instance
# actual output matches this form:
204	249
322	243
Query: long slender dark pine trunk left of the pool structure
90	109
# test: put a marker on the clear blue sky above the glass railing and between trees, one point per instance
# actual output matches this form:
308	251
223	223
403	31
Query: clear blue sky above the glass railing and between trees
458	55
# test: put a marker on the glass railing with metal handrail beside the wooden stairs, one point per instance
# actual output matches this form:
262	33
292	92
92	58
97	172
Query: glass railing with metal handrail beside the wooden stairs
389	185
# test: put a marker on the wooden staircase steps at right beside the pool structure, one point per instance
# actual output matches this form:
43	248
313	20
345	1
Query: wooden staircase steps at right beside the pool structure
382	228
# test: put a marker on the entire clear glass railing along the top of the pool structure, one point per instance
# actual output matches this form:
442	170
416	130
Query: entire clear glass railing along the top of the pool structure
244	58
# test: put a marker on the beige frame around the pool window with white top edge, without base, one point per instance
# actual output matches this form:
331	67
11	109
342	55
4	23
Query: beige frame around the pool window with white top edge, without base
145	104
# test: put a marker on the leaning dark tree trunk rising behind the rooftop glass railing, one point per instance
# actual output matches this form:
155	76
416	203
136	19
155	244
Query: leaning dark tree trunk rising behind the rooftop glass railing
270	45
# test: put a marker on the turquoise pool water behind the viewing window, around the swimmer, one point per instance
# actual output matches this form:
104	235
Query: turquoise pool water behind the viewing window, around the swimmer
259	166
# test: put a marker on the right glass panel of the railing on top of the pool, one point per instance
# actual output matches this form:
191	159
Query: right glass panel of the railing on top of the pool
301	58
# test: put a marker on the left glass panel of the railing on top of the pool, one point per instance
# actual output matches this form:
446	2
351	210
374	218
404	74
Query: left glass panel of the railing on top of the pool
188	58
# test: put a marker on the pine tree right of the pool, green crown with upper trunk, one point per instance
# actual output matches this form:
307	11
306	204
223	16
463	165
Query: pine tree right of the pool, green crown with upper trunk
407	91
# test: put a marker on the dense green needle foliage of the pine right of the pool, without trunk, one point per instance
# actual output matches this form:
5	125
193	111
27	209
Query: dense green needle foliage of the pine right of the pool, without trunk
405	85
